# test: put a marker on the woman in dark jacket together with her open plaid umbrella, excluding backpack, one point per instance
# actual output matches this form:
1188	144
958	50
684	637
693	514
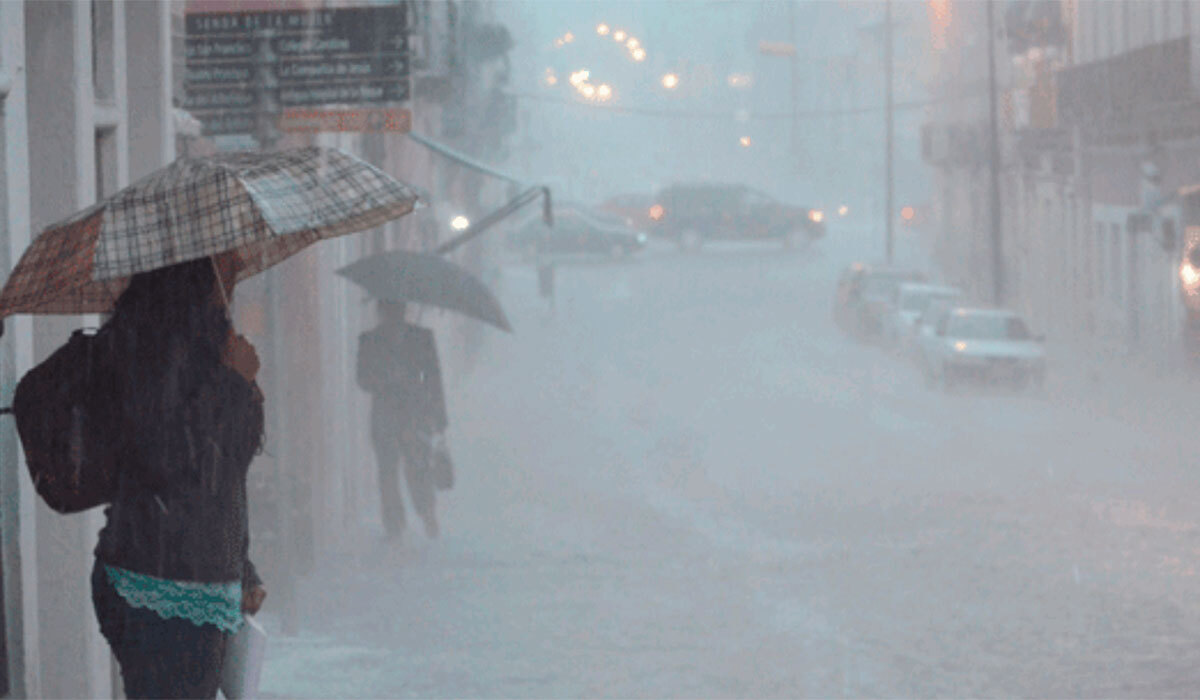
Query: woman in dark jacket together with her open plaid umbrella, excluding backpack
172	576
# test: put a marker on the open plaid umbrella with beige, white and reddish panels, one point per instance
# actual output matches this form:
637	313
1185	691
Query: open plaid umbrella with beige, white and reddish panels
257	208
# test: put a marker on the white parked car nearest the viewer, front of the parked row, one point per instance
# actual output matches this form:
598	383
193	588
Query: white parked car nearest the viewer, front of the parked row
983	346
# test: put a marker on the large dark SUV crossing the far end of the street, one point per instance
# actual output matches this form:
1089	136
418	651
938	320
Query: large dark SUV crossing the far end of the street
694	214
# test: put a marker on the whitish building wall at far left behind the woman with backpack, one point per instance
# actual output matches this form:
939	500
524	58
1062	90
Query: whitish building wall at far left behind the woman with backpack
70	89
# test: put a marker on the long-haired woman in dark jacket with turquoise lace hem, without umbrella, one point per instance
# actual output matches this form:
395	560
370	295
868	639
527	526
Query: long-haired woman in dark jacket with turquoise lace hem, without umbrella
172	578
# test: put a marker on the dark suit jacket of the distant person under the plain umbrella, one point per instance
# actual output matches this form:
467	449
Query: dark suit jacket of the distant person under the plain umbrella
399	366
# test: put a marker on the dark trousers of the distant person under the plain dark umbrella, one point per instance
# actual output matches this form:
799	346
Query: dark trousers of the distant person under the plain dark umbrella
392	444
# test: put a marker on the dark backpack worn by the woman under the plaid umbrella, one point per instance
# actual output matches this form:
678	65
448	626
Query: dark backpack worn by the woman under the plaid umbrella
65	414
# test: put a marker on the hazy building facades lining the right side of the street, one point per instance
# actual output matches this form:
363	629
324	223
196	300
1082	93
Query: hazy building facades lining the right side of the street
1099	166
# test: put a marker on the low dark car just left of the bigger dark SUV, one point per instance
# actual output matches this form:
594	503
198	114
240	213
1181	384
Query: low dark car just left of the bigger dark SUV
578	231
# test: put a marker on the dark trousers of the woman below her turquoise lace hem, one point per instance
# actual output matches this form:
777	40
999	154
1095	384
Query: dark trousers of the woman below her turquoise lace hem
159	659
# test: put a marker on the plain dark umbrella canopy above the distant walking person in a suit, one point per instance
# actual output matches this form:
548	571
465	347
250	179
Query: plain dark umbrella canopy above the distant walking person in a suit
427	279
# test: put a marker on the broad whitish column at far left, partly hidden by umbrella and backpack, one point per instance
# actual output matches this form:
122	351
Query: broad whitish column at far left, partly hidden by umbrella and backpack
62	112
